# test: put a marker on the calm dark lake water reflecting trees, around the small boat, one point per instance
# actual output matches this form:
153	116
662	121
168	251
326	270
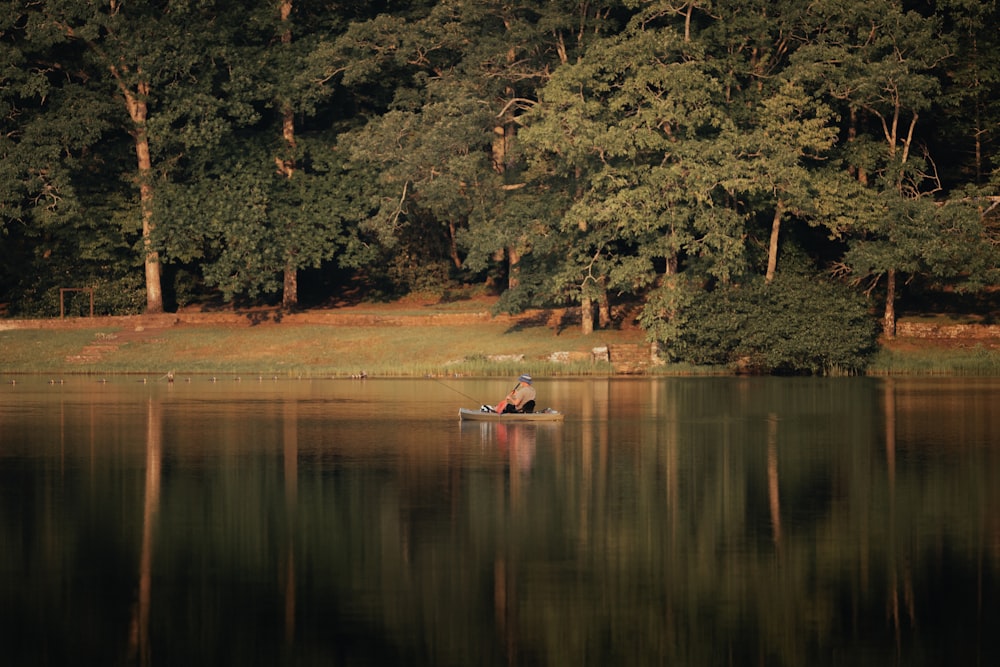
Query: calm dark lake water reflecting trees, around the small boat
345	522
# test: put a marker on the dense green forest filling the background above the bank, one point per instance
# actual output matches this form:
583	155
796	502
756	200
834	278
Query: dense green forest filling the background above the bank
765	180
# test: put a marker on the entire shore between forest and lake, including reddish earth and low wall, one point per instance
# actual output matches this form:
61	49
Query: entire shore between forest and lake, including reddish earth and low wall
411	339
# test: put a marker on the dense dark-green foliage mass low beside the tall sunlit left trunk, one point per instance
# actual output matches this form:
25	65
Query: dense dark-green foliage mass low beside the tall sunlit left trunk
246	224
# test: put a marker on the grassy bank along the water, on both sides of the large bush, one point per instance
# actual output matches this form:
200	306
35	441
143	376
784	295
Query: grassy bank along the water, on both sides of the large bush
479	347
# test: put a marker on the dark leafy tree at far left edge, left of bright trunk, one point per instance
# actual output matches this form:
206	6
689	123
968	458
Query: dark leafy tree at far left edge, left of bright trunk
61	197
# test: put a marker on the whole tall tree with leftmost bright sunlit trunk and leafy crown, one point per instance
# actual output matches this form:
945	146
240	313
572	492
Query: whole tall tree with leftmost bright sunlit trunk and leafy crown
161	61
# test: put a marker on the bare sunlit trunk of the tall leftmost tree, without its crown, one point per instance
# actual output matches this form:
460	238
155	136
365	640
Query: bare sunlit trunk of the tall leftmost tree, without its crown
138	111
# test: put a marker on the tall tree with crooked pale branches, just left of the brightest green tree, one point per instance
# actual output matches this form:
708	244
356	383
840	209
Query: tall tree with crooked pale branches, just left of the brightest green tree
448	142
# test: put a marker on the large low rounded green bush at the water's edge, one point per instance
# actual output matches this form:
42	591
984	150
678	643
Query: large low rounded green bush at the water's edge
796	324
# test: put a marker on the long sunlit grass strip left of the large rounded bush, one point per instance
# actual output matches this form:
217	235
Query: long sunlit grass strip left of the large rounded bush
302	350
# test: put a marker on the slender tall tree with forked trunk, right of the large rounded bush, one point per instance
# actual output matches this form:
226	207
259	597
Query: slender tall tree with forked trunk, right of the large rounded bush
881	65
